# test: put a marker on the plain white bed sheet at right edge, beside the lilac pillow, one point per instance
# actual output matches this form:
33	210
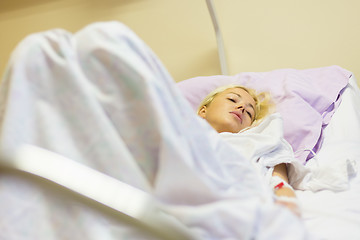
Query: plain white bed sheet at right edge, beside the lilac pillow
331	208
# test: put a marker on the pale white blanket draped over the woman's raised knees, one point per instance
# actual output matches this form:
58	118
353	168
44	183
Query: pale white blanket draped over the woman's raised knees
102	98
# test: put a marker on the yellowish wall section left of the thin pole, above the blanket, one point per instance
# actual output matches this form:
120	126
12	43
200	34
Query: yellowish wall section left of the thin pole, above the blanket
179	32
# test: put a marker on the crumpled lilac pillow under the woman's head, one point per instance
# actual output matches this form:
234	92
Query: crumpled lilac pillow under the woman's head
306	99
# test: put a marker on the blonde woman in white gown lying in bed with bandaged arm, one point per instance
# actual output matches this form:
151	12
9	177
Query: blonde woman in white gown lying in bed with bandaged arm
233	111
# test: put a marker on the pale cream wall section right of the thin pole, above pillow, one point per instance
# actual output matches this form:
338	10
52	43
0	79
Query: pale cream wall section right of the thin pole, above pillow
266	35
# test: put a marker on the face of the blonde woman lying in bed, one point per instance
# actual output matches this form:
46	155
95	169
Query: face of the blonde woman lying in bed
230	111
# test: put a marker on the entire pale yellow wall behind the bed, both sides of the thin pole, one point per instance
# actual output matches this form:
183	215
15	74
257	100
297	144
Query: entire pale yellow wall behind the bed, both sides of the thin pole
259	36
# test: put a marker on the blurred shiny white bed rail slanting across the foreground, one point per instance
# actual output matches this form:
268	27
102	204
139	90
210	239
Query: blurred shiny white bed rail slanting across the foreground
130	202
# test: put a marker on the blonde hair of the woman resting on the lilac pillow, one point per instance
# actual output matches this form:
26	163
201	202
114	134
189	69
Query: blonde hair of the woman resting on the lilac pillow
264	104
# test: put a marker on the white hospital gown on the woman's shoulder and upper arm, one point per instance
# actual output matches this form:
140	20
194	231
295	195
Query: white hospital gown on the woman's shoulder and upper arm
265	147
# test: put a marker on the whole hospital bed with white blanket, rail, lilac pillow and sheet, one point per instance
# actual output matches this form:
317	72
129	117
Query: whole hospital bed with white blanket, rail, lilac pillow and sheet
72	168
